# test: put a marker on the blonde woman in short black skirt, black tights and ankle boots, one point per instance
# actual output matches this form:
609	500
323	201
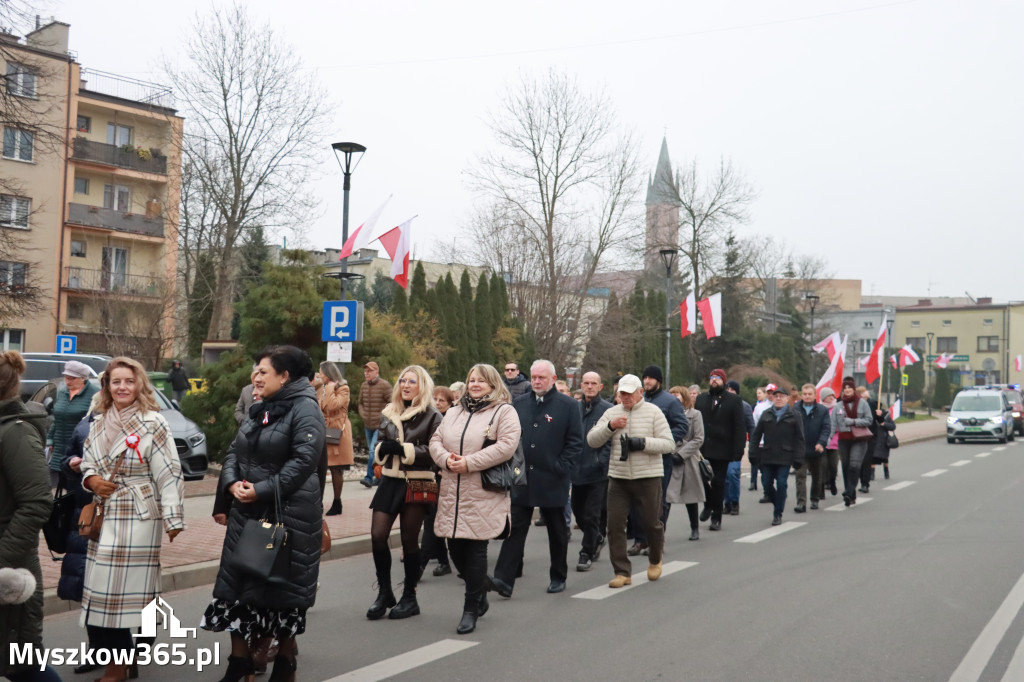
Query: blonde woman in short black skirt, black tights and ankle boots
408	422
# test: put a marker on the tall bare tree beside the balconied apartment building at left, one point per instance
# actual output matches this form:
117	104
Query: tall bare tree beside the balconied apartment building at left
255	121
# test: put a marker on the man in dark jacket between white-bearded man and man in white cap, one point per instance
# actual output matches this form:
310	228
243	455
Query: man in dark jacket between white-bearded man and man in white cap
590	478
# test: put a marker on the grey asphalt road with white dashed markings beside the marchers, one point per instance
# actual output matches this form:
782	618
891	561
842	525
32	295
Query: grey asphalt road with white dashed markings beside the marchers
918	583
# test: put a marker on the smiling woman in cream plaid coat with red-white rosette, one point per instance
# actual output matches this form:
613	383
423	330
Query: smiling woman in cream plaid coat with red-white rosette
131	462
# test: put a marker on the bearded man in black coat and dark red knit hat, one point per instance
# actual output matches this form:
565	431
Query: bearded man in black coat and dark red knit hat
726	438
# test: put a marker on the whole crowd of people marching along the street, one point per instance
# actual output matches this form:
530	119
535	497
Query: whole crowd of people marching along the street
616	465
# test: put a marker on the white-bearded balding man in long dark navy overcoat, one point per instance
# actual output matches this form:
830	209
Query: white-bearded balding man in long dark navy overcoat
552	442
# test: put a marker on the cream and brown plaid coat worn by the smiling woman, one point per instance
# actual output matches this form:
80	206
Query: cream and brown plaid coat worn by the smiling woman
122	570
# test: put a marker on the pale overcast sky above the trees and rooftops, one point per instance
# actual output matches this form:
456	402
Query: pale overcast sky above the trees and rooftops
886	137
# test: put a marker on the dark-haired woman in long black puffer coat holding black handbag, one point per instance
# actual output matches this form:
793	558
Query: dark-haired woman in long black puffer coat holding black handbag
279	447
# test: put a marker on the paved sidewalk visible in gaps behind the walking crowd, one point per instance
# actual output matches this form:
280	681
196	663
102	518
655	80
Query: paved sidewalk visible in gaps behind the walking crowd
194	559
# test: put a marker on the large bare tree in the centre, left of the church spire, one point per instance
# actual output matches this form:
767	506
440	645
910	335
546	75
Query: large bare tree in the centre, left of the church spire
561	196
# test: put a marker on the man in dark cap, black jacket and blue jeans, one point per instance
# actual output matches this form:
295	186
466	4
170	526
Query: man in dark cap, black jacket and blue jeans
781	433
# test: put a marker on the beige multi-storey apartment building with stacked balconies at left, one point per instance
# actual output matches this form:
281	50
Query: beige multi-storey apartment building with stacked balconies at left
102	207
